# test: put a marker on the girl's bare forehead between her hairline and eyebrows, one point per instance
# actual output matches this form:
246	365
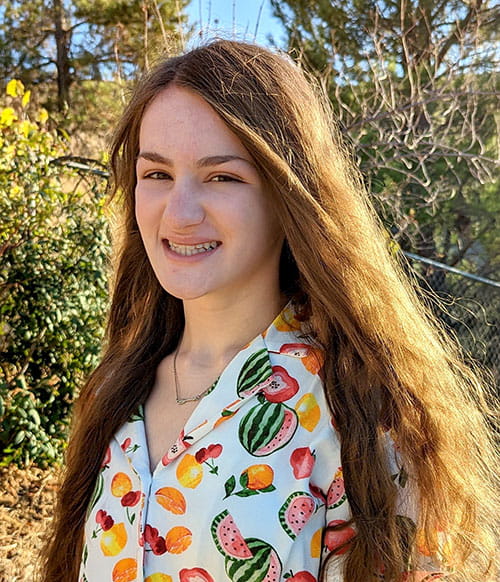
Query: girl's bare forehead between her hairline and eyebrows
178	118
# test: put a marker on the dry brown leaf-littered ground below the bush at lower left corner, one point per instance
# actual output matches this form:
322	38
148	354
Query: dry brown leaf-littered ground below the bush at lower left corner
26	501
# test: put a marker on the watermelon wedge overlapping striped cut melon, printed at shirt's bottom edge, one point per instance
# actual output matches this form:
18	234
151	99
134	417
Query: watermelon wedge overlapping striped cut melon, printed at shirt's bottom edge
247	560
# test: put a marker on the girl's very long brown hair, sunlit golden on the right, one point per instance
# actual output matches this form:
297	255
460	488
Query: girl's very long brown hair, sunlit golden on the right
388	365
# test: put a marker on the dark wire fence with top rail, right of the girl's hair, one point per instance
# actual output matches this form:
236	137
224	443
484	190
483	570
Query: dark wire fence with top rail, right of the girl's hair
469	308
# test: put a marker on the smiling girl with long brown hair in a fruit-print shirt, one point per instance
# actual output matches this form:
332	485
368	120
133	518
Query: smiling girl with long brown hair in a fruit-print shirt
273	402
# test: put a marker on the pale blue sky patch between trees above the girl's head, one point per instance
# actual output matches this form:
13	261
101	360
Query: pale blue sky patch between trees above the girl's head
235	19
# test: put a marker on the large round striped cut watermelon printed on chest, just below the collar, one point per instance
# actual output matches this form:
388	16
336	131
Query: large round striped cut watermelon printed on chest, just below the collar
267	427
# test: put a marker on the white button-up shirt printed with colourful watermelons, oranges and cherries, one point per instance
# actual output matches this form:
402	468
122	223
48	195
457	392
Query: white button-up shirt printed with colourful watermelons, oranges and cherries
246	491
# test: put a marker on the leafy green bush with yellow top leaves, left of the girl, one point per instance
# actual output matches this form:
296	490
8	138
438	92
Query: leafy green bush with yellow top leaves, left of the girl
54	244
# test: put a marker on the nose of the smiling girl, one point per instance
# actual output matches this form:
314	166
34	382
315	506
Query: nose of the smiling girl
183	206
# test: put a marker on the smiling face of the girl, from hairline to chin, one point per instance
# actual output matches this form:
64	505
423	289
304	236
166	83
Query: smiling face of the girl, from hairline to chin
201	205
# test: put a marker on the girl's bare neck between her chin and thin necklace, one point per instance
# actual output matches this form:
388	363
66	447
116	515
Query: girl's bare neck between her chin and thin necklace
214	332
